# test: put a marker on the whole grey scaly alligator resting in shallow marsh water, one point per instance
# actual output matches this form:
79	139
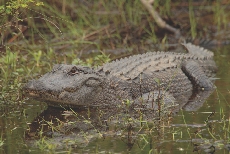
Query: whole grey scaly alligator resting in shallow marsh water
134	78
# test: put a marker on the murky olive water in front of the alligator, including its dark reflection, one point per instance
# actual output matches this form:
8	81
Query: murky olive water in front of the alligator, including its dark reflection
202	125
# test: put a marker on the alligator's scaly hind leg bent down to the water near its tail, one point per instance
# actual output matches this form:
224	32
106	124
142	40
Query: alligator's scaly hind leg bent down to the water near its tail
196	74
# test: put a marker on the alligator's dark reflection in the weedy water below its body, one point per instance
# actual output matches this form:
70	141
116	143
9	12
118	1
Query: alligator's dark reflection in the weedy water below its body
79	127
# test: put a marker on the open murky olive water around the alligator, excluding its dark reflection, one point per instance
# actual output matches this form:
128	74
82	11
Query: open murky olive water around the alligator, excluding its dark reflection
206	129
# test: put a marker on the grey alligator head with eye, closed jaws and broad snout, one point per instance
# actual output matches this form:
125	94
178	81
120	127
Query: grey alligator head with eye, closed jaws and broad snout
66	83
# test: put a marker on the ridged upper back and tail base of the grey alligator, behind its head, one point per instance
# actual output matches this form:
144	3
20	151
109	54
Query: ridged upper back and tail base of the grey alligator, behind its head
133	66
